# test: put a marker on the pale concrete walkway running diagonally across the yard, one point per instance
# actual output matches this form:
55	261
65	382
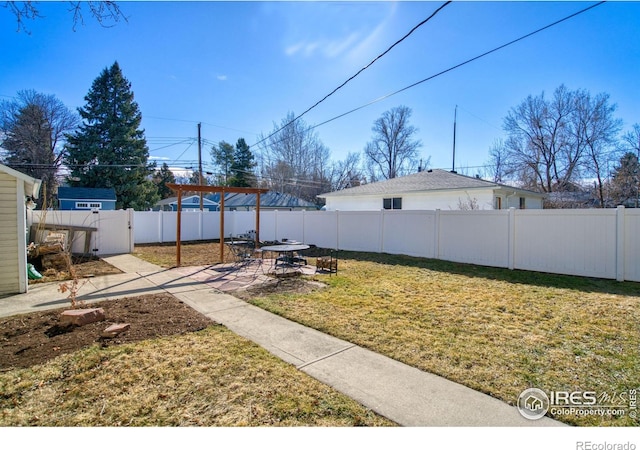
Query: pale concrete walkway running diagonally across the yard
406	395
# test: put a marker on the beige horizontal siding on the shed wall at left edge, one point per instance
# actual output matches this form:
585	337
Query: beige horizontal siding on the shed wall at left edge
9	270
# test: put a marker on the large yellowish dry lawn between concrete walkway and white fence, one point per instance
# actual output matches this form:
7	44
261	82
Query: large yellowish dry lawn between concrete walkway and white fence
496	331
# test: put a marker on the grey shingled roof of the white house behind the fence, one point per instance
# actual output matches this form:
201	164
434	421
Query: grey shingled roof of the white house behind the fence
429	180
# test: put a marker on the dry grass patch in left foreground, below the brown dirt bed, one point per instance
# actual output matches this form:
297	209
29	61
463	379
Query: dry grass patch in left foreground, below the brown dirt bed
222	380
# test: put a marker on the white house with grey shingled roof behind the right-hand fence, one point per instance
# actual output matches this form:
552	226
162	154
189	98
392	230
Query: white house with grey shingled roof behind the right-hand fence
430	190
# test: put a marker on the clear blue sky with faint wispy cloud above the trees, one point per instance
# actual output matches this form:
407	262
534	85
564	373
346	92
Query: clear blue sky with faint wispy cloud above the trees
240	67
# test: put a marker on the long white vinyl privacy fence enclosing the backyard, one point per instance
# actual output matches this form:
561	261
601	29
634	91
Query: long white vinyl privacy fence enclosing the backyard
601	243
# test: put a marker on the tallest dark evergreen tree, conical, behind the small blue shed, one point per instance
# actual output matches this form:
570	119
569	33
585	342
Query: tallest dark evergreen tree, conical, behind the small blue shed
109	149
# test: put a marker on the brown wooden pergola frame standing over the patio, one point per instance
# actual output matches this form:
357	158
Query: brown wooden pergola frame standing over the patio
180	188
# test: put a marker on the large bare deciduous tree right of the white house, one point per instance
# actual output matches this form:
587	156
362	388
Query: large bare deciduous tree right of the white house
552	143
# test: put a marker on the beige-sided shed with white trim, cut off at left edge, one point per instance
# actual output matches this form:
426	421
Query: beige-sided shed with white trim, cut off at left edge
15	187
